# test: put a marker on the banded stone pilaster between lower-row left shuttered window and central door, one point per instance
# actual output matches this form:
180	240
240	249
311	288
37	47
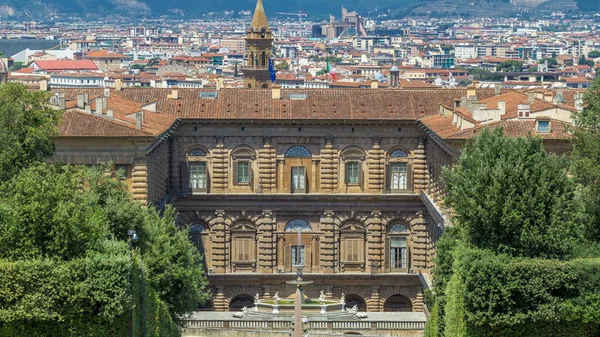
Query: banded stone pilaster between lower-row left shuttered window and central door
267	244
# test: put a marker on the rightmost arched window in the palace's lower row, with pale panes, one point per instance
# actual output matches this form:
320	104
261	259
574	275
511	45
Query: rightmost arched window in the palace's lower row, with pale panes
397	248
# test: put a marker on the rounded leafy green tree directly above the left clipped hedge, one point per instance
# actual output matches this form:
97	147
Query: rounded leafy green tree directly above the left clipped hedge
46	213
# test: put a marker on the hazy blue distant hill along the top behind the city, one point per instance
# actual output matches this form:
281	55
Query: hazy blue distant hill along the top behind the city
37	9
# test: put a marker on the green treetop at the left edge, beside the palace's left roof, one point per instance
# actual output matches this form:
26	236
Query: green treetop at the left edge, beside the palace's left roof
27	126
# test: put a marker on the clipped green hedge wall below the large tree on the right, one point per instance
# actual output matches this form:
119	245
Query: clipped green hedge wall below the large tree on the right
496	295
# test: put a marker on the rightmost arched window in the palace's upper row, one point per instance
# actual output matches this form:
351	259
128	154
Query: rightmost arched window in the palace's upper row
398	172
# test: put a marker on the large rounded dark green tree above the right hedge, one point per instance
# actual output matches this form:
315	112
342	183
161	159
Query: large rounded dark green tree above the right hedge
512	197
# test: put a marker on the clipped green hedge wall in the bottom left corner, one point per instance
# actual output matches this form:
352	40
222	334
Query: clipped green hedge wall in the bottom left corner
85	297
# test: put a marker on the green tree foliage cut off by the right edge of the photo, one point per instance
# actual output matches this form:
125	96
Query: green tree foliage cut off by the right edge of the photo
586	157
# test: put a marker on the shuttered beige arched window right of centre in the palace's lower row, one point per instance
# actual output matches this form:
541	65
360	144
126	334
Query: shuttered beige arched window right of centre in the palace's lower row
352	247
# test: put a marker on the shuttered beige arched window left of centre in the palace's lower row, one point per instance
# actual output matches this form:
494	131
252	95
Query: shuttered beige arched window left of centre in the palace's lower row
243	247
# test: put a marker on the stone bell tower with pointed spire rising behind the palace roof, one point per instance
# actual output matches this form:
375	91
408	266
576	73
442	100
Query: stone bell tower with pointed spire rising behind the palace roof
259	41
